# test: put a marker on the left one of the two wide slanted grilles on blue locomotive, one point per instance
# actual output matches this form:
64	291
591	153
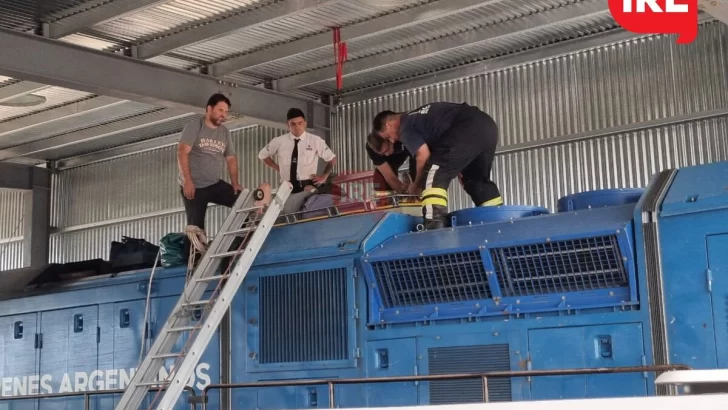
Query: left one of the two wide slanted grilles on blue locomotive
453	277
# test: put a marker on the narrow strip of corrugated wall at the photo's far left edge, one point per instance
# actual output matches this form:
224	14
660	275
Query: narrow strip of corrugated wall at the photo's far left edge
11	229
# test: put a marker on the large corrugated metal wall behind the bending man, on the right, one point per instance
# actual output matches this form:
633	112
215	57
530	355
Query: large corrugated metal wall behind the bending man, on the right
618	85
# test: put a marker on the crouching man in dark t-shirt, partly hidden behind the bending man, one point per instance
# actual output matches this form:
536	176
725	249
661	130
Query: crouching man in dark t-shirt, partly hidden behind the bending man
388	163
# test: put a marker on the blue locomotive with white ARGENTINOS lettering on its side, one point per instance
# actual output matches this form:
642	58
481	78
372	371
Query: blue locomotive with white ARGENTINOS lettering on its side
613	278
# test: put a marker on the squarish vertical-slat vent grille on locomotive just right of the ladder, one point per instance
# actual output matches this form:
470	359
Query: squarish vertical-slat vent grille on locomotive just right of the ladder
303	317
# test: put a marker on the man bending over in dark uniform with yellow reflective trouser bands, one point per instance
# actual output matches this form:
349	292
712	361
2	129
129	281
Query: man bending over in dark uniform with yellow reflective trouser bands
455	140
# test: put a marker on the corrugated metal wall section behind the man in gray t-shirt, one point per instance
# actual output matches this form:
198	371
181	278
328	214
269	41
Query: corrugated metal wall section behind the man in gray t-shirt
137	196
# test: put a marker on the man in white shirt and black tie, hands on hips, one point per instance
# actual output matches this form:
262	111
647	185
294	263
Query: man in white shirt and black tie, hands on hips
295	155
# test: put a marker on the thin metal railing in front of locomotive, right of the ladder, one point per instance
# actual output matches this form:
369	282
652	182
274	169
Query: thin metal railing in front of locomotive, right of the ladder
458	376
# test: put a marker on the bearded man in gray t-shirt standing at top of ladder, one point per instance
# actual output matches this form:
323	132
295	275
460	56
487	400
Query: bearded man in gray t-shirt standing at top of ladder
205	145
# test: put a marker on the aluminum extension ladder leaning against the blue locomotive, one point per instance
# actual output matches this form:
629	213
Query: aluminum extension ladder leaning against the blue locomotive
244	212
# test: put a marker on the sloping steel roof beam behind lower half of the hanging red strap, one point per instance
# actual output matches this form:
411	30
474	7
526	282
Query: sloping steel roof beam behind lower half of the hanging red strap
430	48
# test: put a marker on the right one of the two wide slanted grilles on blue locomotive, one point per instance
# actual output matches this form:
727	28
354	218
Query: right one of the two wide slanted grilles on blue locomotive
562	266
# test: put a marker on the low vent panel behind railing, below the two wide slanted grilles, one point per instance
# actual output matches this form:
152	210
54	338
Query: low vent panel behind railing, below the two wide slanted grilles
469	359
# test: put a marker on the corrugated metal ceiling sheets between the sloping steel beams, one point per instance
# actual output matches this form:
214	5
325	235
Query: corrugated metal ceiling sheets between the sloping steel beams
166	18
